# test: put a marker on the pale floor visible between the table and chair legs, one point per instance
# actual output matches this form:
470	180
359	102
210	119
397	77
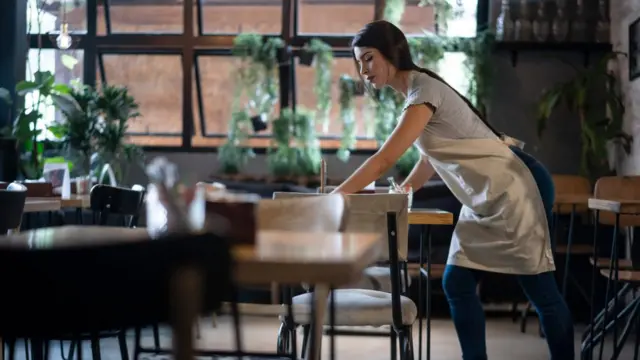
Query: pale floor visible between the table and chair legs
504	341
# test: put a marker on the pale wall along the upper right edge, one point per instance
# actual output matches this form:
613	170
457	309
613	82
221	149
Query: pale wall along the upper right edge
621	12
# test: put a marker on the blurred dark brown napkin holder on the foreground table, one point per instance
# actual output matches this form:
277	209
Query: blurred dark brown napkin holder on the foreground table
232	216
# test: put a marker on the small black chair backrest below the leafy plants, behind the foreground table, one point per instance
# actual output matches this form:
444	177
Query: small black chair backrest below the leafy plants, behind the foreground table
108	200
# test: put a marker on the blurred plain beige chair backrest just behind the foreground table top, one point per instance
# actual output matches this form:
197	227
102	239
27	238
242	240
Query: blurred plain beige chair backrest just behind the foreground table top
317	214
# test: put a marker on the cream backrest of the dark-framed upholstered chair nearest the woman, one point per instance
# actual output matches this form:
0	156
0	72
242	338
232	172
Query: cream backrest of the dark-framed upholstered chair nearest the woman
368	213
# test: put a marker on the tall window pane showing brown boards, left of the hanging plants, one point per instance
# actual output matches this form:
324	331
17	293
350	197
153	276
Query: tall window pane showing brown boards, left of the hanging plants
155	81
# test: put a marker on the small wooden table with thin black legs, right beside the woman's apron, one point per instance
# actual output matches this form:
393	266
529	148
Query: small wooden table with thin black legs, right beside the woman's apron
425	218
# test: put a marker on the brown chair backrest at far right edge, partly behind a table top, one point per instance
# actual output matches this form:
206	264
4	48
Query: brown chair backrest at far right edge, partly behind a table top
618	187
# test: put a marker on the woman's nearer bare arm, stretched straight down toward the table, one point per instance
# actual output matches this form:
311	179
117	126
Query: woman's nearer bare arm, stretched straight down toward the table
411	124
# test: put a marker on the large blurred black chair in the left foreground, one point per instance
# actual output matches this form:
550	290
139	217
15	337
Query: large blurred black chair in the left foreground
80	291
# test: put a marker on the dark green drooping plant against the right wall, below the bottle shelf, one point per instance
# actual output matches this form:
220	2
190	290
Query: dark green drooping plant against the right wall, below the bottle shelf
594	96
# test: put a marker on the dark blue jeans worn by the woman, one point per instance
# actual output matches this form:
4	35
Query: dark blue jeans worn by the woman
460	284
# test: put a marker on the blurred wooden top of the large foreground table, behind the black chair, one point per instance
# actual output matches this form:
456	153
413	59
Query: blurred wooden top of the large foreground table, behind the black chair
281	256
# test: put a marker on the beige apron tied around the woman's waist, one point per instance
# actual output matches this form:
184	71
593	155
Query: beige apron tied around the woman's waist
502	225
